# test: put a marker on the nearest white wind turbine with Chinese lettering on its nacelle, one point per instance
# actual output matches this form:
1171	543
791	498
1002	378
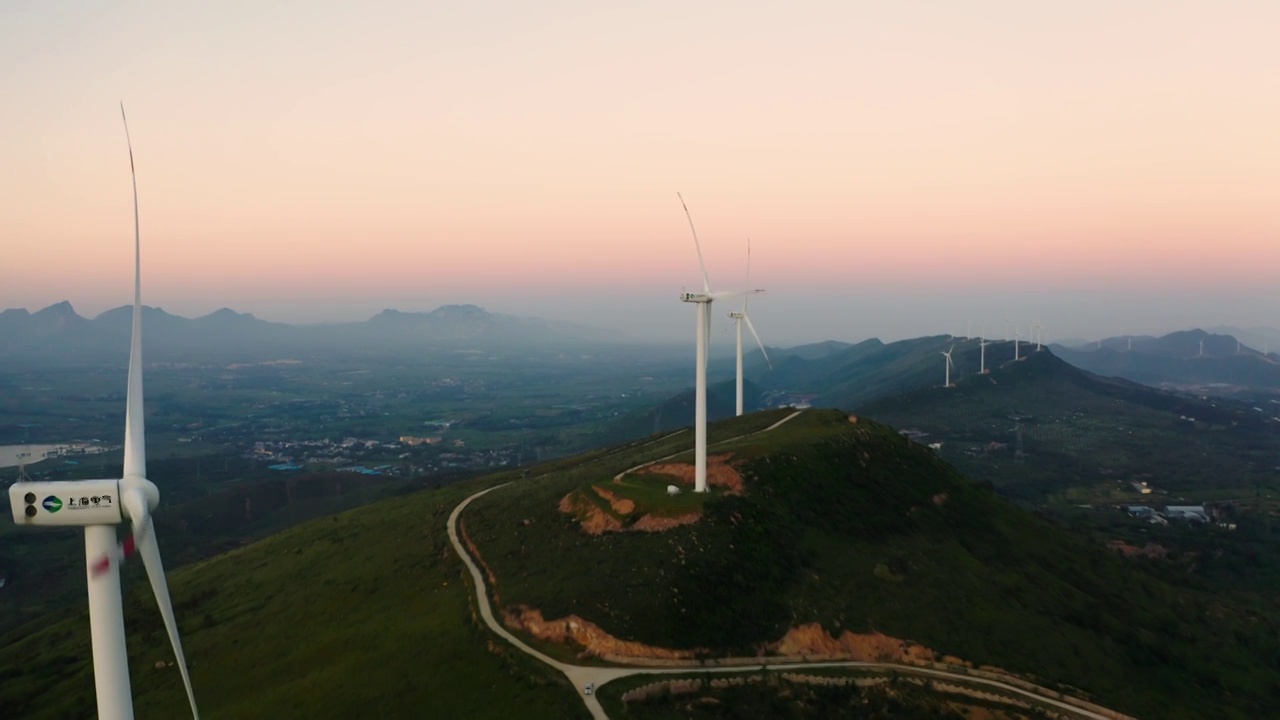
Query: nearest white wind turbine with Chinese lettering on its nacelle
99	507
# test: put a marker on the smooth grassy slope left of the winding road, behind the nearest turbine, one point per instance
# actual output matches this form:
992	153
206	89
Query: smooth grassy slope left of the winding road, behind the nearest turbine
364	614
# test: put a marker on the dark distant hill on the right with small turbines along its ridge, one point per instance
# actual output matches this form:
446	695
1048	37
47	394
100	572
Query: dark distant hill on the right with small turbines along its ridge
1086	438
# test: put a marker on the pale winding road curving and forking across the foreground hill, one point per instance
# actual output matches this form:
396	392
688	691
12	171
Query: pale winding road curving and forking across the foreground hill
582	676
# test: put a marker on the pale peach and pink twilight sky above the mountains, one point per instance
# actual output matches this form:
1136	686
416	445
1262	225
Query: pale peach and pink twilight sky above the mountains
900	168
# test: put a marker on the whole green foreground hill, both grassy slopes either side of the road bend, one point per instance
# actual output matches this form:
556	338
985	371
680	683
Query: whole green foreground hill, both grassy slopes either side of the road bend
845	525
